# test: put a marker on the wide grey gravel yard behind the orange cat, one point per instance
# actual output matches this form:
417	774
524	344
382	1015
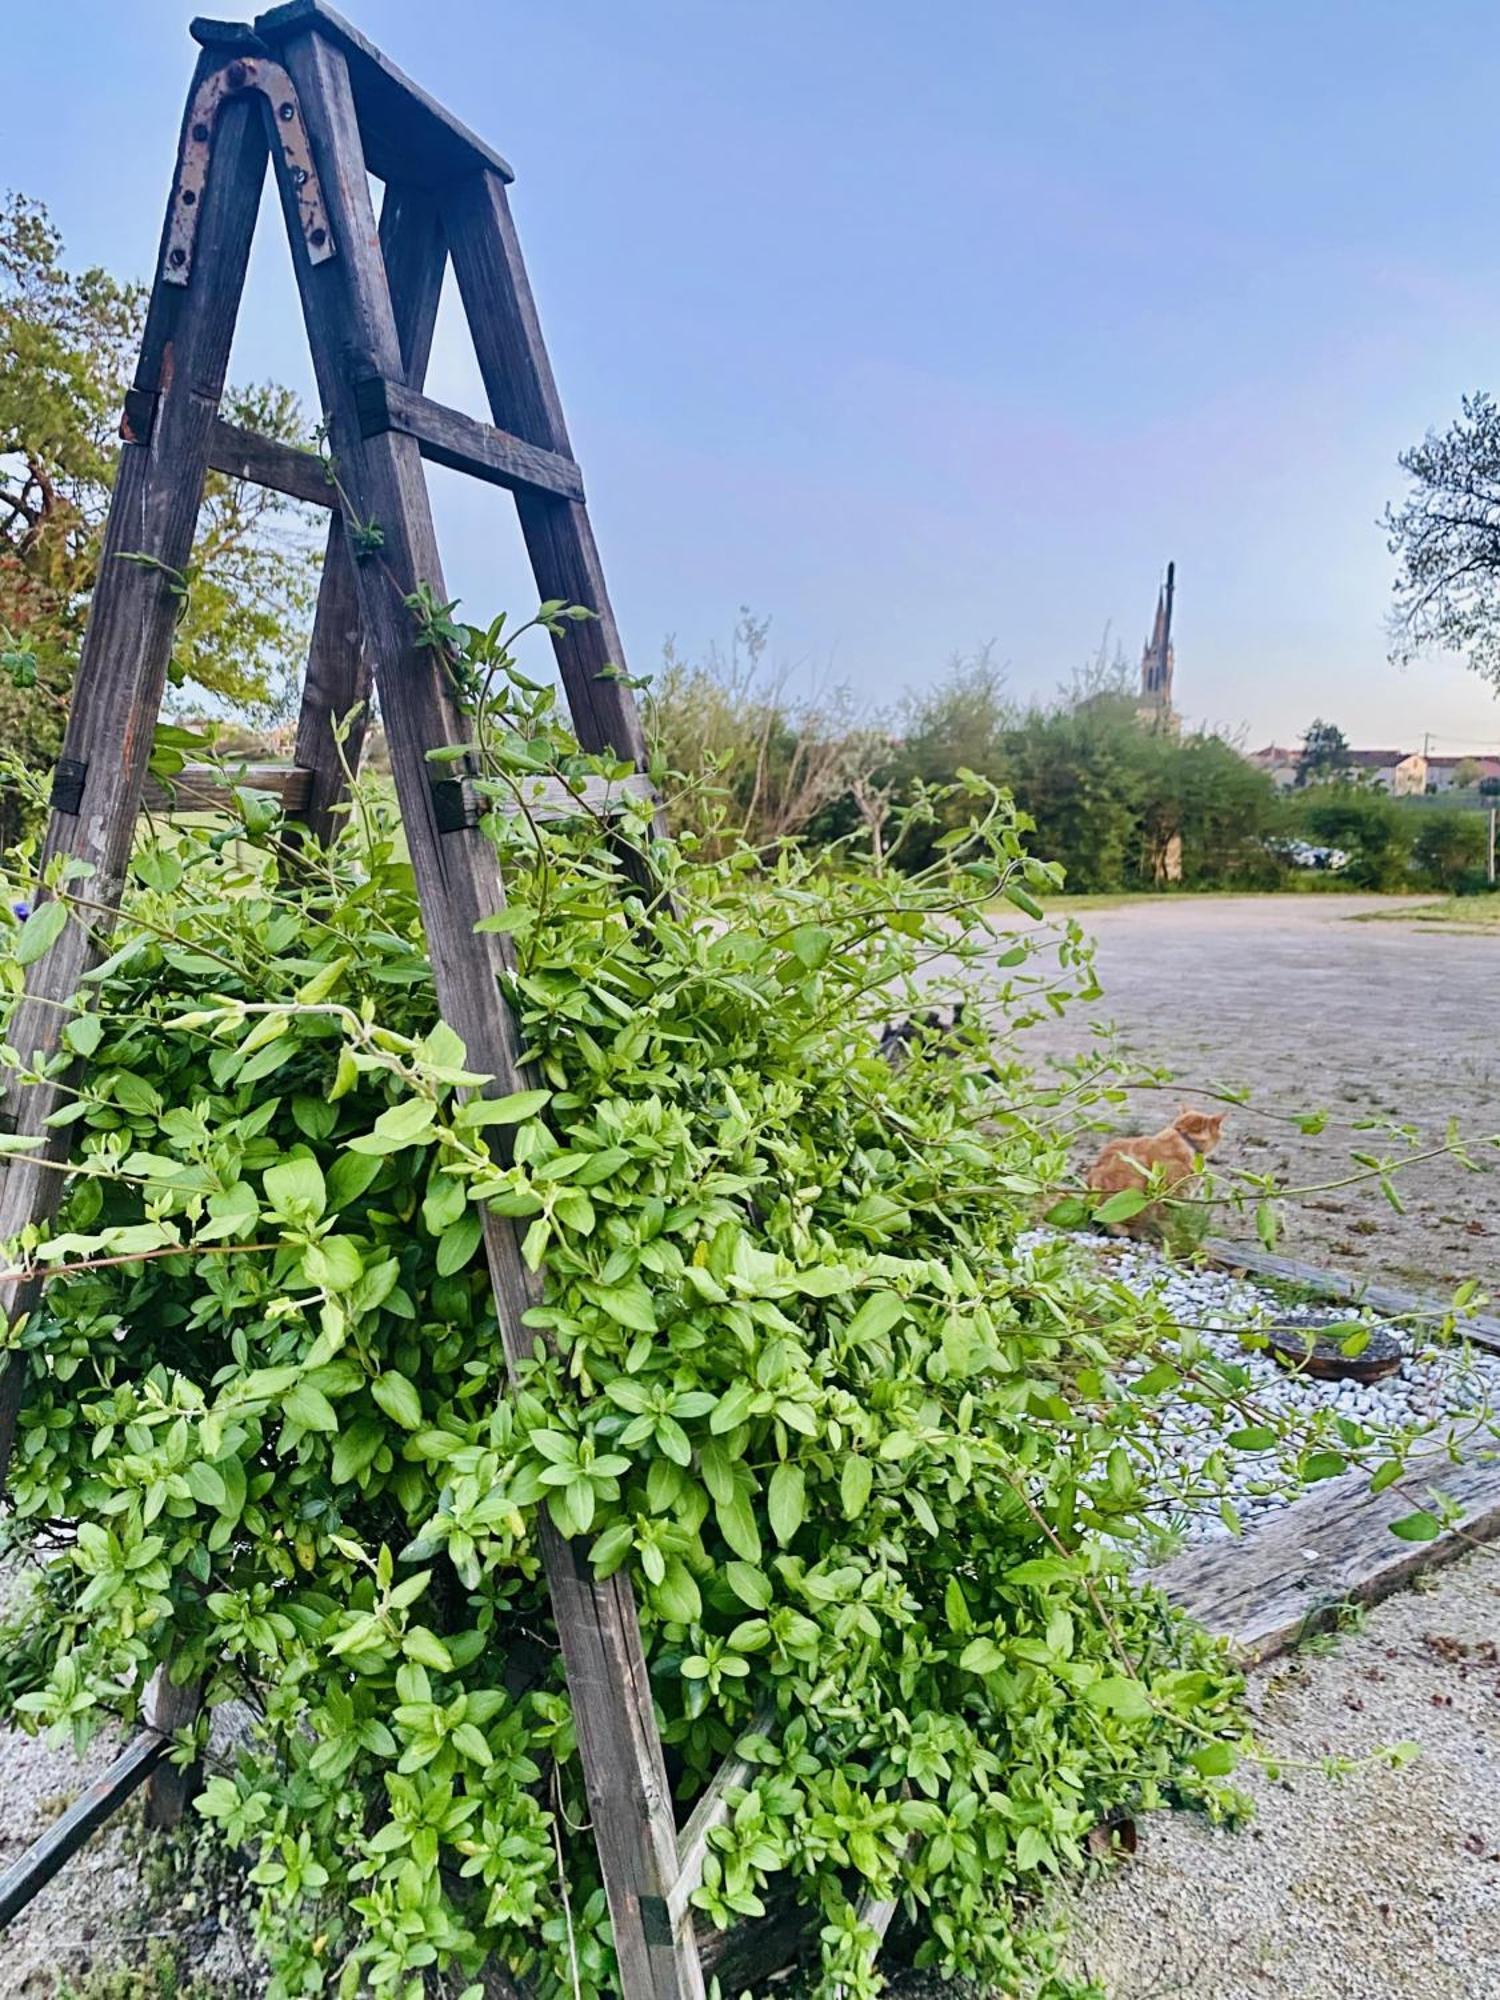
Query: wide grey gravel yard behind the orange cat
1311	1011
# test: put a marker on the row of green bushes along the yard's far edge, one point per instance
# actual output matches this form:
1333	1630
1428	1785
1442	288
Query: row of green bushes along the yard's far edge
1117	797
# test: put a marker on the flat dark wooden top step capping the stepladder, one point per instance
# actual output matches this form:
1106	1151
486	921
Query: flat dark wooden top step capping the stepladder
407	135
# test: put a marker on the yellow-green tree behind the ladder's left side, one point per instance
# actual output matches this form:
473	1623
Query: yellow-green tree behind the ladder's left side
67	349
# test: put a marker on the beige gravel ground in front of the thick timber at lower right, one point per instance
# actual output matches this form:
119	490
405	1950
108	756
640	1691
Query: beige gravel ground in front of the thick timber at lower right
1385	1883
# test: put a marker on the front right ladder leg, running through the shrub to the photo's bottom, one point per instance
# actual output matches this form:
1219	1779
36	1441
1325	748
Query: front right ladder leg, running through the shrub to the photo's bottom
353	333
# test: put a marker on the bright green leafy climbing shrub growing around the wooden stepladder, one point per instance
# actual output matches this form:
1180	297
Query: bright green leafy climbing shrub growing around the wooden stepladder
871	1463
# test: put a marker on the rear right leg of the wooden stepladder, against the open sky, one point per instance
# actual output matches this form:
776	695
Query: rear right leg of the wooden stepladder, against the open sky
525	403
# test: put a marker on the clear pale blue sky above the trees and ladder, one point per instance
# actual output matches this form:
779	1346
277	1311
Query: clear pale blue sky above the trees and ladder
919	327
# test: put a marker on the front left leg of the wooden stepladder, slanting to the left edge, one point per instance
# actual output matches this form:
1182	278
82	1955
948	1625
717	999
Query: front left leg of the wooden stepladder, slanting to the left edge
123	669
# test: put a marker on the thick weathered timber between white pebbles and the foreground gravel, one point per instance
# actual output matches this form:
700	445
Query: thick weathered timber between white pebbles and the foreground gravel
1271	1587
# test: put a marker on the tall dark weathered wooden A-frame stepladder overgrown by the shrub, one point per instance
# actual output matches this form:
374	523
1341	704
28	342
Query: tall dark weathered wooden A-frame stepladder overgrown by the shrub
311	95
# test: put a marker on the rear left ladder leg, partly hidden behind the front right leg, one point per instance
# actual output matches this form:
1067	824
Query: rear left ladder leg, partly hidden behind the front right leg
339	667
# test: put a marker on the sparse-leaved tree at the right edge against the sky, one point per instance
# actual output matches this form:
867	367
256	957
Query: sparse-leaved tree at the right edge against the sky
1447	539
